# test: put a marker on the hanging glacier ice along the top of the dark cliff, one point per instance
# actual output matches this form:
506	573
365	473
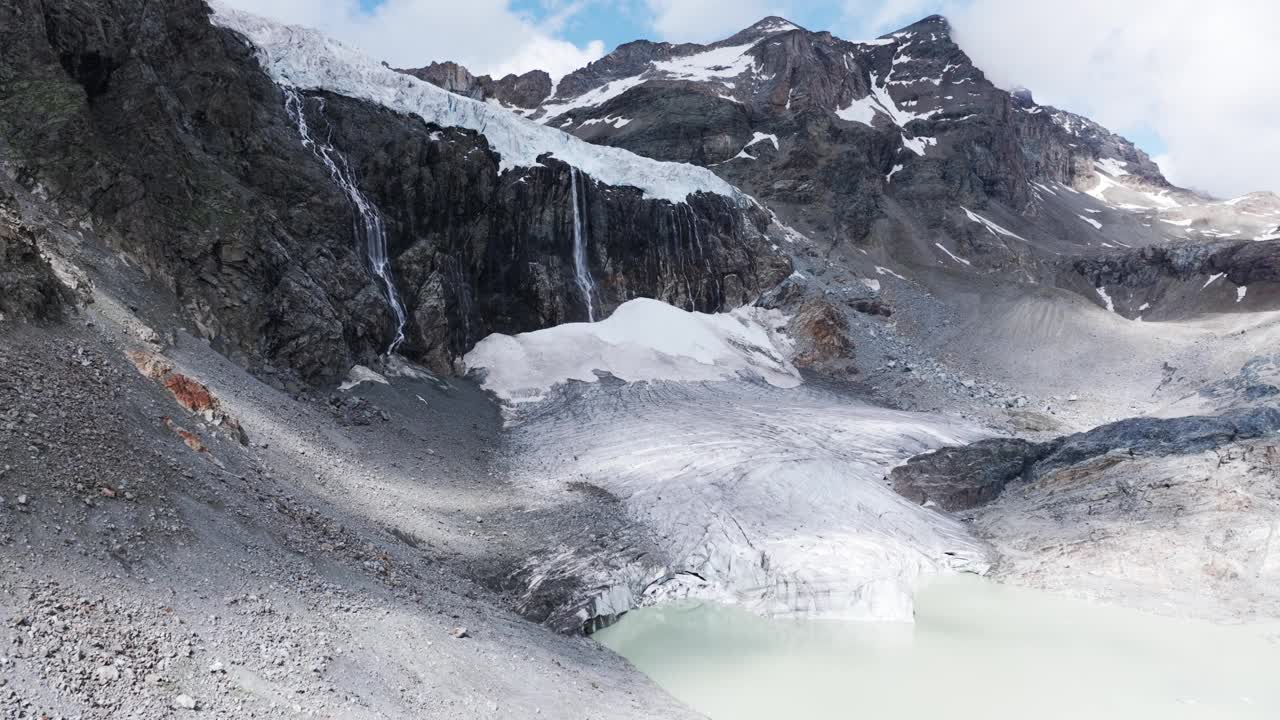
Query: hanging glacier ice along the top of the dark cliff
307	60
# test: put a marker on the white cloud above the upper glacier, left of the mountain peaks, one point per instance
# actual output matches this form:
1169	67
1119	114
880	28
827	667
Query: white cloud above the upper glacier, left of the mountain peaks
484	35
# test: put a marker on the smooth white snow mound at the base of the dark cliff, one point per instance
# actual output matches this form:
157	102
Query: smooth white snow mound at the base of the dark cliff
644	340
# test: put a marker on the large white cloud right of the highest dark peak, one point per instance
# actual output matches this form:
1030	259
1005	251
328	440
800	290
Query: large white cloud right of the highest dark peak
1203	76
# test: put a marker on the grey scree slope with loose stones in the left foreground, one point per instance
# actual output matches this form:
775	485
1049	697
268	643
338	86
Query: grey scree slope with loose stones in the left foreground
323	569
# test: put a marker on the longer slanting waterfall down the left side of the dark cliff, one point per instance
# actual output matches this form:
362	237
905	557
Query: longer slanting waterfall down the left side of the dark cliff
367	220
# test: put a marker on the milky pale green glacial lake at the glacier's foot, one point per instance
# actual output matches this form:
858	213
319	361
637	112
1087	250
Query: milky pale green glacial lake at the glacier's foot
976	651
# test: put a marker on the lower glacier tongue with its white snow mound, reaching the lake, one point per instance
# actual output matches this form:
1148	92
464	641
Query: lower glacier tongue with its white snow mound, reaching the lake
769	495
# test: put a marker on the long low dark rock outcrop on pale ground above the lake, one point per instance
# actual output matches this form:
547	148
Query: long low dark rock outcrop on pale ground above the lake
961	479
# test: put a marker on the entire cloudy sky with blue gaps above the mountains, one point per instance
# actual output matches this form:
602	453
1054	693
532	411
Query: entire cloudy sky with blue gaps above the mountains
1191	83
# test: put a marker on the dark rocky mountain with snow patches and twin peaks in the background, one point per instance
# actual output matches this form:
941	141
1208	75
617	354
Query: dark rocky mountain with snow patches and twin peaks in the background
899	149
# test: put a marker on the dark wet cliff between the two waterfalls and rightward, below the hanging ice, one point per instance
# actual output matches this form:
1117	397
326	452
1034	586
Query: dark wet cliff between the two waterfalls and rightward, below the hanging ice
478	252
